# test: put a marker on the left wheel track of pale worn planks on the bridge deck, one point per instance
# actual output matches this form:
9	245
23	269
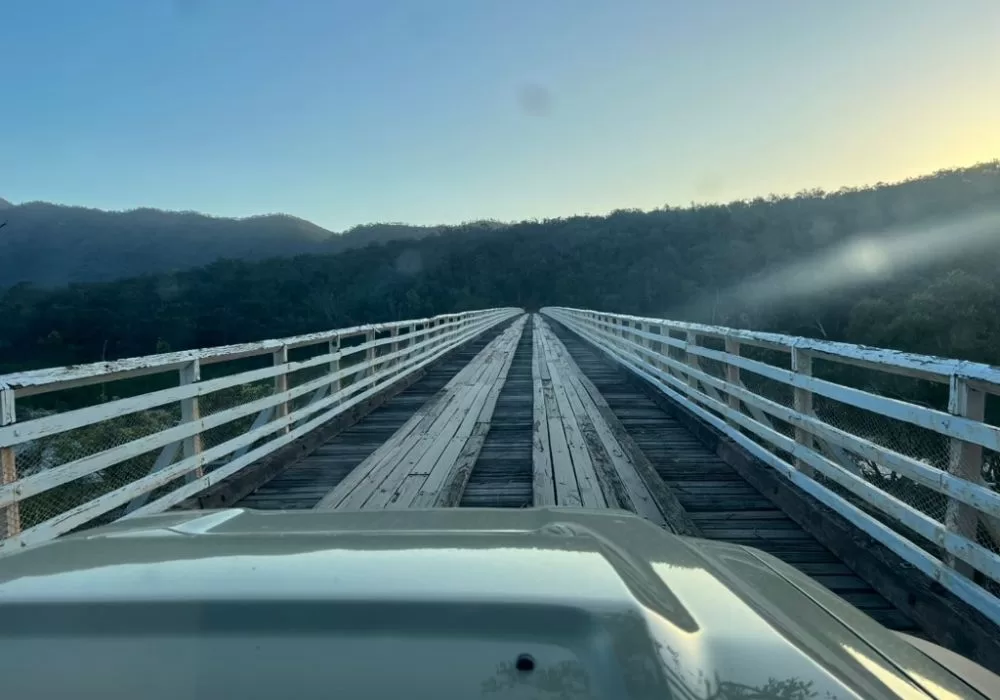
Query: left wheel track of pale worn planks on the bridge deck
427	462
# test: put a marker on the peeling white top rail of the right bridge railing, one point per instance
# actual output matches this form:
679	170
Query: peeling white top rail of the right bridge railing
931	367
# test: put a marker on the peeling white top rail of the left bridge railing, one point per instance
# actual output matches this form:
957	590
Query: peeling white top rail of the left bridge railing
51	378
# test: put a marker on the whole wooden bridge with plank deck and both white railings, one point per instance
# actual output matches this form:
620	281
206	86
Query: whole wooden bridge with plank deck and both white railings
870	470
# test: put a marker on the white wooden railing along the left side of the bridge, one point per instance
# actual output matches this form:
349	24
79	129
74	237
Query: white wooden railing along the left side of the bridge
92	443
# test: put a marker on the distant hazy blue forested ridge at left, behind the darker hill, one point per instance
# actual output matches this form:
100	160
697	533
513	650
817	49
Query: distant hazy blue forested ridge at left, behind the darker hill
54	245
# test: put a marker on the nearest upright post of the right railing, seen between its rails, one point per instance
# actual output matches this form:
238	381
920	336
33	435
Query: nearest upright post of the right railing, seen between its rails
965	461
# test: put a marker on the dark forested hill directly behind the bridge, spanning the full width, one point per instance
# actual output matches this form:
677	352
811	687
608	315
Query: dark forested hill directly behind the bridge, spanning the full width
911	266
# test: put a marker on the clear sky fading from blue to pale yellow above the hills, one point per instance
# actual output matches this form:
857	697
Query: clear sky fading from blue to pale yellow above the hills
439	111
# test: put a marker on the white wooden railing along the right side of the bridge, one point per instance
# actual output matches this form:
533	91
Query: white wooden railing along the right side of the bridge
843	423
